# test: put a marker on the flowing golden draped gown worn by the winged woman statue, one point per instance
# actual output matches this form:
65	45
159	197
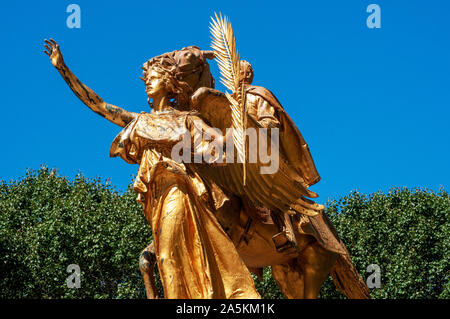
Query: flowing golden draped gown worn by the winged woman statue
195	257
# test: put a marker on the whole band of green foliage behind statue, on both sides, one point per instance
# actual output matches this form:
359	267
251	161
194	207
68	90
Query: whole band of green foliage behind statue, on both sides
48	222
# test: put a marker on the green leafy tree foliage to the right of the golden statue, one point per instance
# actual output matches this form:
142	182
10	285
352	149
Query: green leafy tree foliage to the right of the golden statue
405	232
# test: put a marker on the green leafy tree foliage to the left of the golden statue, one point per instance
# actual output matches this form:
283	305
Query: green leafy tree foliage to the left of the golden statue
48	223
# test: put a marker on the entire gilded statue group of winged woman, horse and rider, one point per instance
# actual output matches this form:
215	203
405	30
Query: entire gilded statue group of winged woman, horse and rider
216	221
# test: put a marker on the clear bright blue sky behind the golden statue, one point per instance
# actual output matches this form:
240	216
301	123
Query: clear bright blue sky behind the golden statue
373	104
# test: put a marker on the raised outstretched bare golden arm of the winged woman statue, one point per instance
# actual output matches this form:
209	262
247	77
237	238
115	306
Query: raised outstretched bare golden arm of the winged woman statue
111	112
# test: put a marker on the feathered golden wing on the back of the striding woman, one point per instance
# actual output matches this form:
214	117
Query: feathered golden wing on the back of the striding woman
286	190
